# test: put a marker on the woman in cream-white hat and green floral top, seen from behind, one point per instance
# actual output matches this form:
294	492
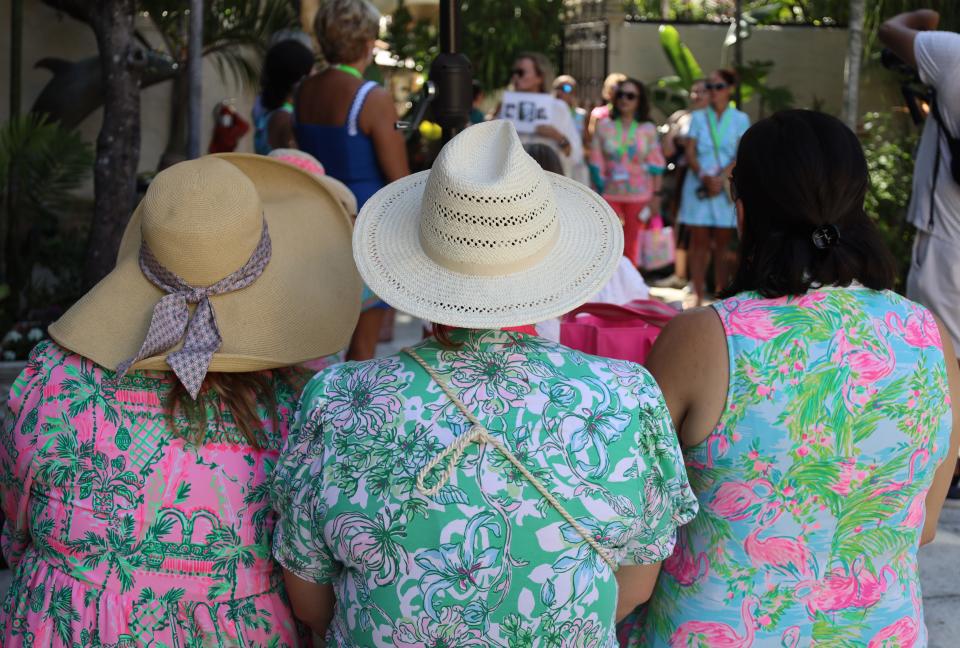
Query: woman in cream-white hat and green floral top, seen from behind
484	488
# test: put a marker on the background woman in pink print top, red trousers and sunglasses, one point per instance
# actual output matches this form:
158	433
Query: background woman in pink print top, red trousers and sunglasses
626	163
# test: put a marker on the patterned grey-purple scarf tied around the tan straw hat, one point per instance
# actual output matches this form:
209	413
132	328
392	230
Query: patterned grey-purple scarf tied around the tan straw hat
171	321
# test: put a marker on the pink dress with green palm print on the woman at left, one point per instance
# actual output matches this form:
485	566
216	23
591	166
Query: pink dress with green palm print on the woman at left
122	534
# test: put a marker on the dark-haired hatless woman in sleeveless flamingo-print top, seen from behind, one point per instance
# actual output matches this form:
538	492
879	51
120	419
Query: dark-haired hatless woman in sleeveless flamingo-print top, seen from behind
814	406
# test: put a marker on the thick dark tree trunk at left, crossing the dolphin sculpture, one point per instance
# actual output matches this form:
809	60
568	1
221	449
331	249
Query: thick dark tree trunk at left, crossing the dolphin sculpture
118	145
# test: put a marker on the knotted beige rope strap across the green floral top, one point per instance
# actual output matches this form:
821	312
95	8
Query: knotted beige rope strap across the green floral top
478	433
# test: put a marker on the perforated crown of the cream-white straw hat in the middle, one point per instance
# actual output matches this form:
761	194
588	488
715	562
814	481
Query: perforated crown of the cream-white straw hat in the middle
488	210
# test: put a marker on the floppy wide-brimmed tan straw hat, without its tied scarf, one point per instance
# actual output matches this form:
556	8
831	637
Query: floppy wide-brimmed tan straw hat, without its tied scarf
202	220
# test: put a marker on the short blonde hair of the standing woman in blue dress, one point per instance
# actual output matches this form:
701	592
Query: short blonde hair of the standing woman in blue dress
344	27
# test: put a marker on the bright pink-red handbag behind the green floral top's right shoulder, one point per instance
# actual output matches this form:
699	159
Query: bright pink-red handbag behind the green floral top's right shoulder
624	332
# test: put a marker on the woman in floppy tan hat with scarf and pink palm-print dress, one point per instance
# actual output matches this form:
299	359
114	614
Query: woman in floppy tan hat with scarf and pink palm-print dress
135	459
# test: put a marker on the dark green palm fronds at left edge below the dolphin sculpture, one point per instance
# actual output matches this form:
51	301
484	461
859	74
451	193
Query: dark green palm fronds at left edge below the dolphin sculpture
41	165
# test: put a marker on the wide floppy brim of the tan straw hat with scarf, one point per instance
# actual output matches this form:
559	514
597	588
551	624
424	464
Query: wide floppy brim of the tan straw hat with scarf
304	306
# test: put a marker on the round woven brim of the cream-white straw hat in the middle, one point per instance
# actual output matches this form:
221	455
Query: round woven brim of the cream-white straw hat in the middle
393	263
